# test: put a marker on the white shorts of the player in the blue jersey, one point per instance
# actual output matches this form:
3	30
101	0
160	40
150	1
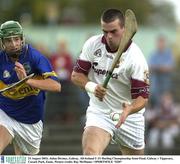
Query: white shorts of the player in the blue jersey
26	136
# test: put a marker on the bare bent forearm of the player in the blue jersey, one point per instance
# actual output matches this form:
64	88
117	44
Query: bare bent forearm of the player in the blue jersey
45	84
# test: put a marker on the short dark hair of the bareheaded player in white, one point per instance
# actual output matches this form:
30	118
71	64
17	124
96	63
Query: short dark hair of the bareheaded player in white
111	15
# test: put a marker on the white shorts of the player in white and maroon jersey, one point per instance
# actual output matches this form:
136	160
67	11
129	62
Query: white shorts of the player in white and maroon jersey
130	134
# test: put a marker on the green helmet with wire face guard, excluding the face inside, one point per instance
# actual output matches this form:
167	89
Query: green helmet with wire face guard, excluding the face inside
11	29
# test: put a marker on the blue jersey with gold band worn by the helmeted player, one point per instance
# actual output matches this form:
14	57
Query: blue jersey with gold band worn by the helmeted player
24	103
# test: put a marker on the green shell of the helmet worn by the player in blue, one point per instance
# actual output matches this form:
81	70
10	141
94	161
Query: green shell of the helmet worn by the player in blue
10	29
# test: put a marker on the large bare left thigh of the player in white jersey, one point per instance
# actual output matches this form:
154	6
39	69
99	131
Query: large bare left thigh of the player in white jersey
95	140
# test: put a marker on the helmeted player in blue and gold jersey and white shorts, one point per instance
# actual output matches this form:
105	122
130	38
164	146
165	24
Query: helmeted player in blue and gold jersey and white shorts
22	107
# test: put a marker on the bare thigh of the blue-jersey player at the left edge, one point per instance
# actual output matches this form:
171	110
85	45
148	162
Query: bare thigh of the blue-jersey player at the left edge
5	138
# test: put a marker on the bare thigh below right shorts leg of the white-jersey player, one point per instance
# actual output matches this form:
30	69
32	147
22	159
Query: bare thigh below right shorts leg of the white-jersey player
129	151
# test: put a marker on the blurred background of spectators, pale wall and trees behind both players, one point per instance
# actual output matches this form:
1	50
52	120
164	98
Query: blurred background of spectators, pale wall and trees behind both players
58	28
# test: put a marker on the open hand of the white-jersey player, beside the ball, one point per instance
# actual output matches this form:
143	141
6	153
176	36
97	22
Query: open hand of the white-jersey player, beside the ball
126	111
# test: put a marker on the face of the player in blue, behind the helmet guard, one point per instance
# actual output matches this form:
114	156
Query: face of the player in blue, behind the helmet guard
12	44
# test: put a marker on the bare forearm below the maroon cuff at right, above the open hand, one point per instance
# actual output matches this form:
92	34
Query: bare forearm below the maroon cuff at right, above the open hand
138	104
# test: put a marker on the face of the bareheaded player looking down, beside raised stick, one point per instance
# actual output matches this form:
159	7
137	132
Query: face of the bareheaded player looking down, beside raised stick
113	33
